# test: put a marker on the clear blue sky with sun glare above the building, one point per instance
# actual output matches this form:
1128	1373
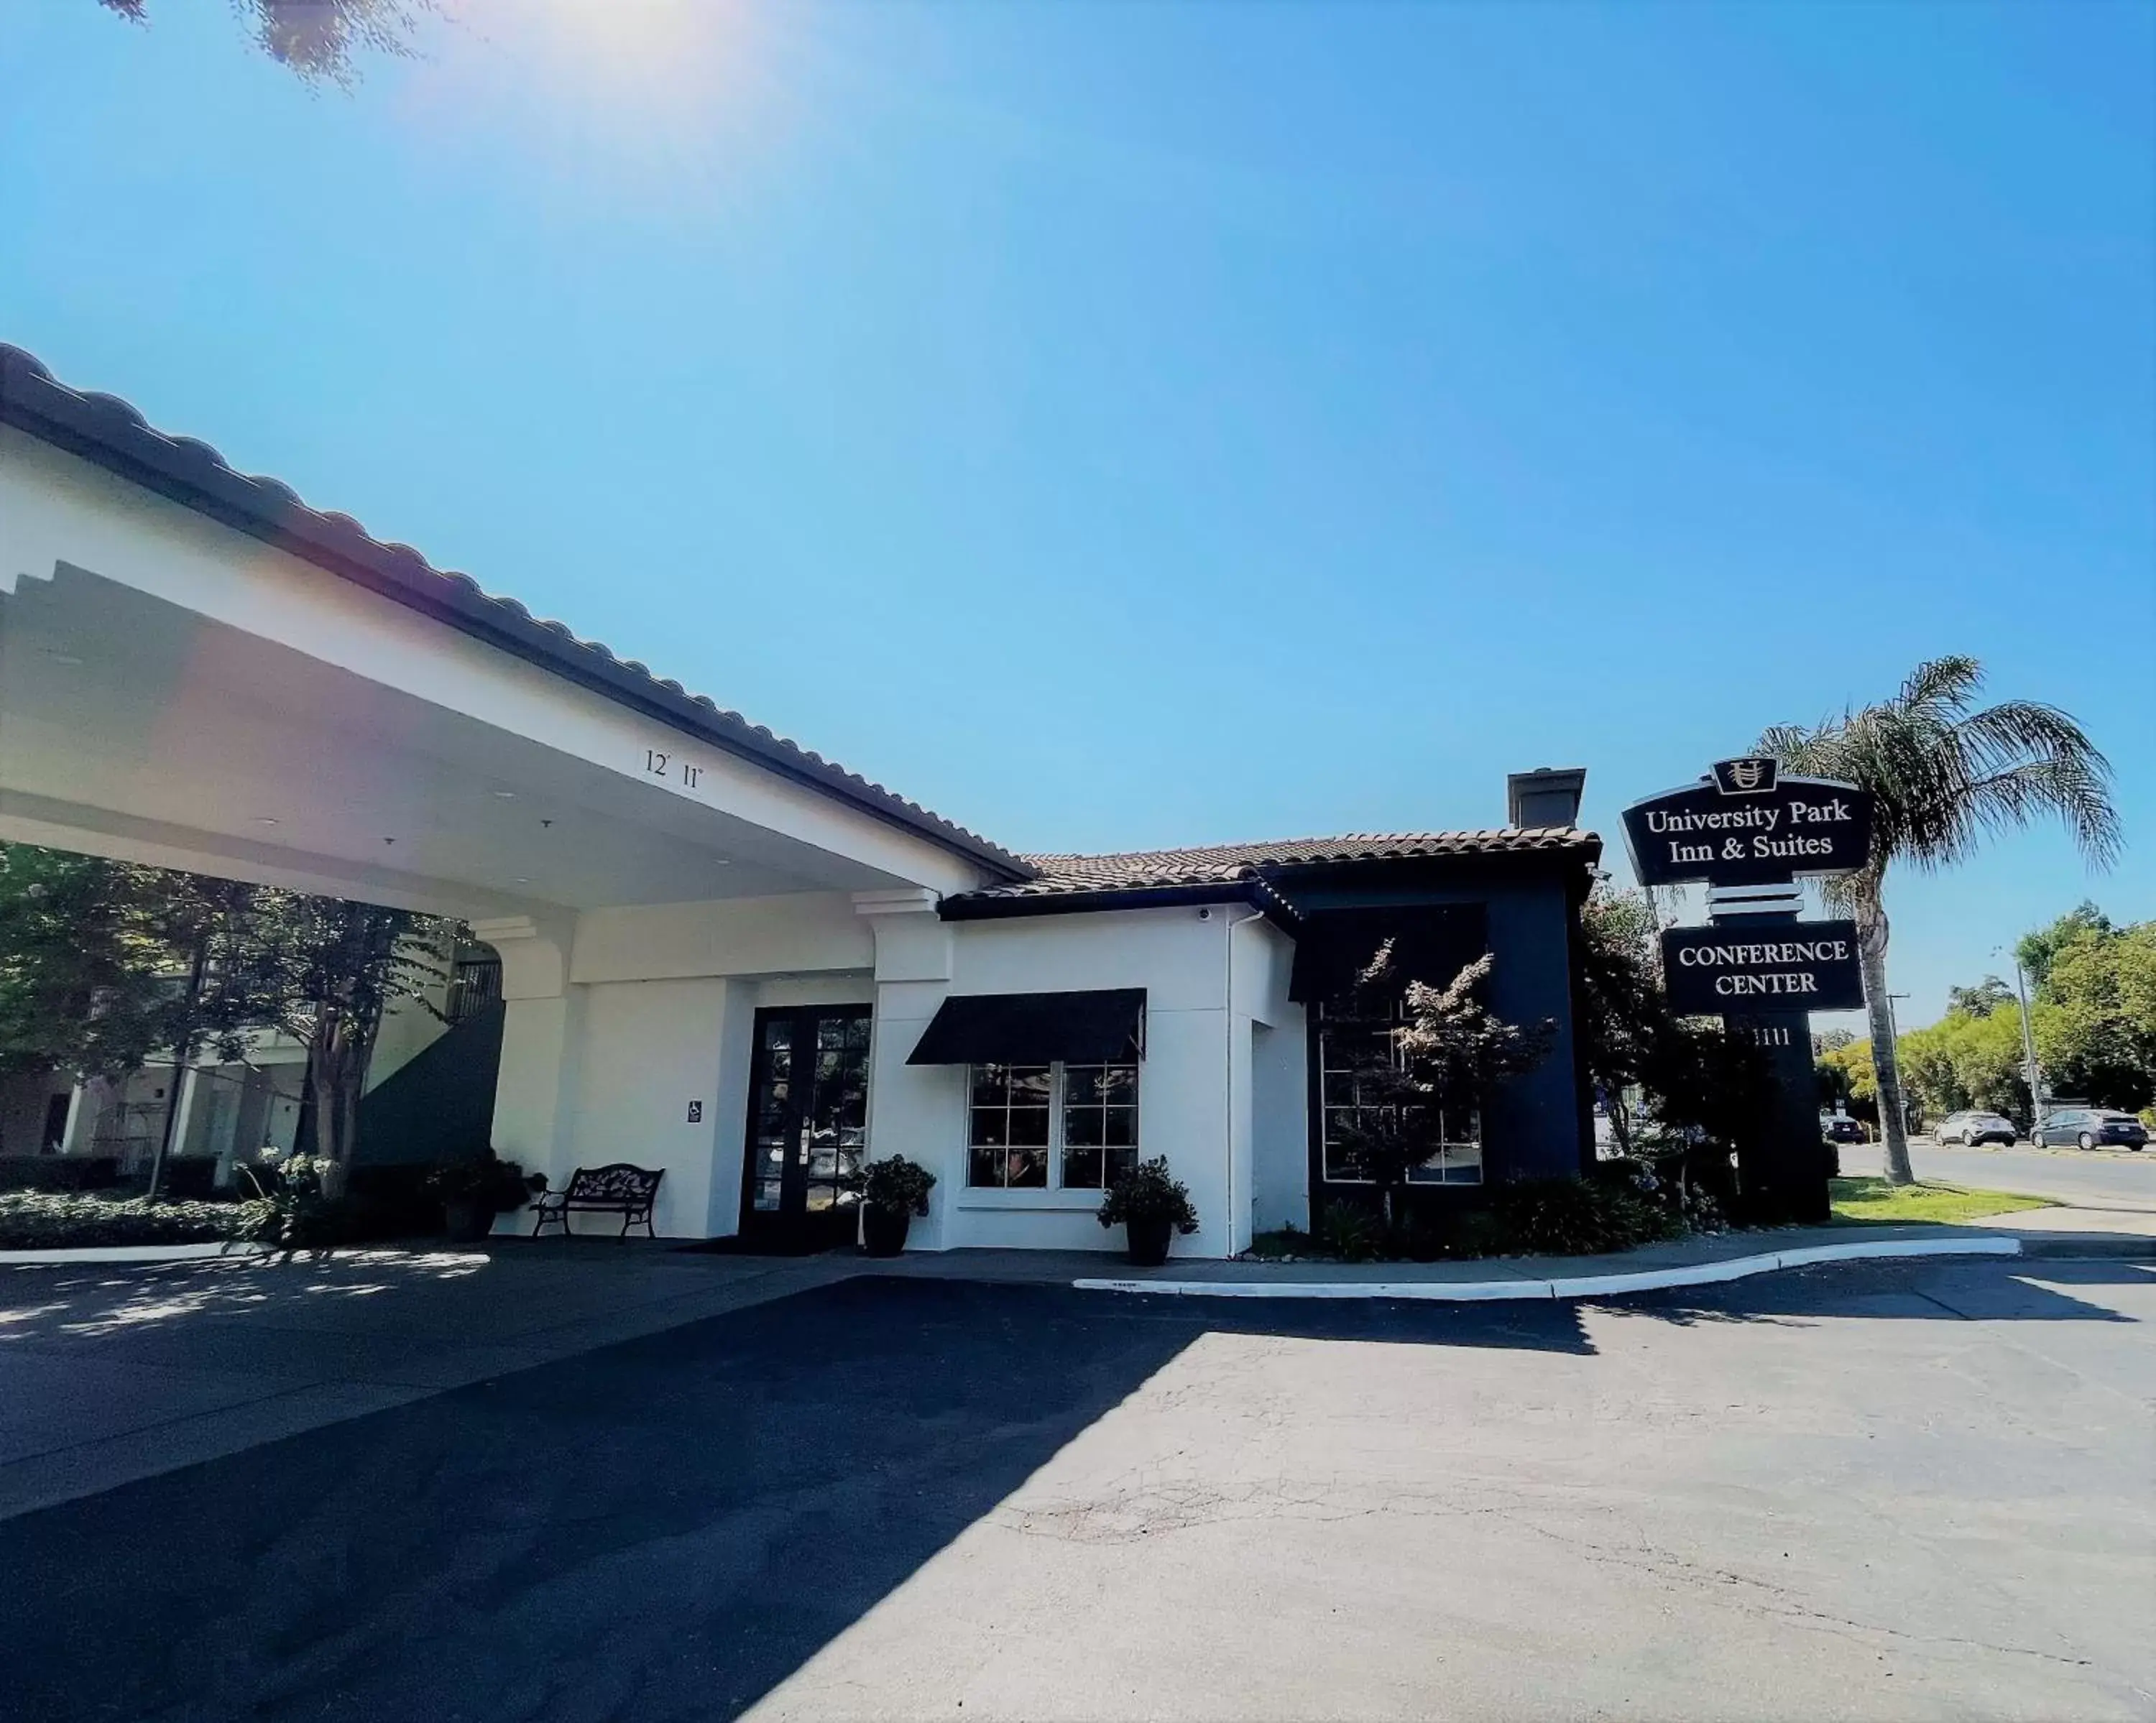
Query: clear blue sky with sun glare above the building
1133	426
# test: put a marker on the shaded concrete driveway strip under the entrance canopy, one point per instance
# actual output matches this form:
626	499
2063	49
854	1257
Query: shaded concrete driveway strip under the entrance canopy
109	1375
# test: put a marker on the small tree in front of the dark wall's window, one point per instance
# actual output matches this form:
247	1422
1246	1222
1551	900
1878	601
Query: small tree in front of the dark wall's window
1450	1053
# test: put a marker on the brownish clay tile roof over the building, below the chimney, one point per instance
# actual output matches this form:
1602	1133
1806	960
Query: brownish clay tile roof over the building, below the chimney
1224	864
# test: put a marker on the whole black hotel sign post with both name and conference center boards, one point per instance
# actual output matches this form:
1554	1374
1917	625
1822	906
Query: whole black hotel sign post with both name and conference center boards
1750	836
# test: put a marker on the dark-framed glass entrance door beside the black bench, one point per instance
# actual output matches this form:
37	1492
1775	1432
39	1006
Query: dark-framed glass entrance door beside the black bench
807	1127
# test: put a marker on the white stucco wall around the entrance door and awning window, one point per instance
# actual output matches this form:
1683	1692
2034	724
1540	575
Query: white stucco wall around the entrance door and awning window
624	1017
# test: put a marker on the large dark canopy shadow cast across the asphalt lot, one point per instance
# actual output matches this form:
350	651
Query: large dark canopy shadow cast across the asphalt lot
665	1528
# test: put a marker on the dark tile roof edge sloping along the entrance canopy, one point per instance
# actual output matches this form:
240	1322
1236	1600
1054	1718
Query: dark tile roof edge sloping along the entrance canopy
109	432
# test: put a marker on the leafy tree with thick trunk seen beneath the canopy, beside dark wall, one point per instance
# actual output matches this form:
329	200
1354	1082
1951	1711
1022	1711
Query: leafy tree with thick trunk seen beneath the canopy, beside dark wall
324	971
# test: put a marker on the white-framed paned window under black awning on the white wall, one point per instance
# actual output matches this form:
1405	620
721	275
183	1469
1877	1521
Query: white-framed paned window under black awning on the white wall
1051	1127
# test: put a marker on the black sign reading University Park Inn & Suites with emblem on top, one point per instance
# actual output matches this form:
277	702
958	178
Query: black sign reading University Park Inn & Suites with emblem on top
1750	825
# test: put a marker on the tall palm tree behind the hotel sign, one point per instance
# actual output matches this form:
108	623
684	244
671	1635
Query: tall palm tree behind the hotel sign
1944	777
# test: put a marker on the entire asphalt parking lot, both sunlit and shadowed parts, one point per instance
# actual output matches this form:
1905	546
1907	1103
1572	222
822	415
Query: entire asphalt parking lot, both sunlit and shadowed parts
1875	1491
